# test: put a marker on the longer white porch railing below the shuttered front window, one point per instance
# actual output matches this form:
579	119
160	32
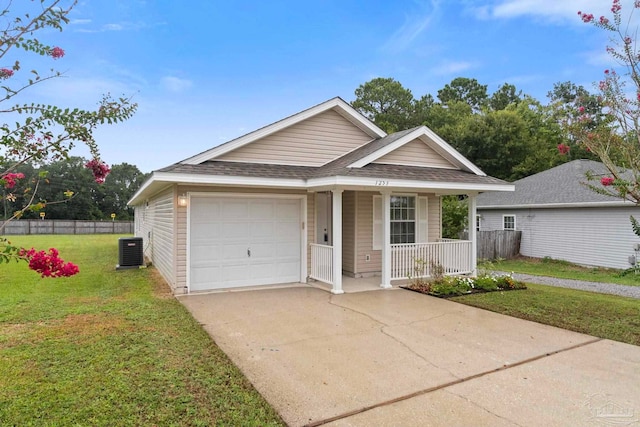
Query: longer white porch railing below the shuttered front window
420	259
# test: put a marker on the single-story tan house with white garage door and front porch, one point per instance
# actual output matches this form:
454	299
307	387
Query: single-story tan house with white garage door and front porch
319	194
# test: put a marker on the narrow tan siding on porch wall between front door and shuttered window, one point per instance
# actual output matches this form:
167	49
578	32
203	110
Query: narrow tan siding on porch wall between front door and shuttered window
364	236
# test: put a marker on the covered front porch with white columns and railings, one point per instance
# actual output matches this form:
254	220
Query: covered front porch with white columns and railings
346	239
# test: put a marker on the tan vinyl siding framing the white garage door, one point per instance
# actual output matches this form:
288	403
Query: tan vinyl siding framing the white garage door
181	223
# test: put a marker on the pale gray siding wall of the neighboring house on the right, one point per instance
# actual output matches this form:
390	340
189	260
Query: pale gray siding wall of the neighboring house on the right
588	236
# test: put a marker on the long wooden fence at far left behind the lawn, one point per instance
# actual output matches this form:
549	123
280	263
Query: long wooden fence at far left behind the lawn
58	226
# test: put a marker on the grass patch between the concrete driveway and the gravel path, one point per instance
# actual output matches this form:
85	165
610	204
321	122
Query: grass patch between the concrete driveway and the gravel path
604	316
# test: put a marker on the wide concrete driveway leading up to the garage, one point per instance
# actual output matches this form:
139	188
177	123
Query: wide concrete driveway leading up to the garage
398	358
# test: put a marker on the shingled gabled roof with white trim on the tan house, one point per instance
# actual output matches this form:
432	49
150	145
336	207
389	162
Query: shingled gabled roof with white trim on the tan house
356	168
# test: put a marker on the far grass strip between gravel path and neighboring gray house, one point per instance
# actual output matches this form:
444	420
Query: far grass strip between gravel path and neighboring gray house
562	269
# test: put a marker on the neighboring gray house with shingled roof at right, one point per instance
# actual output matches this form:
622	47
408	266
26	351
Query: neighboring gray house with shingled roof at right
562	218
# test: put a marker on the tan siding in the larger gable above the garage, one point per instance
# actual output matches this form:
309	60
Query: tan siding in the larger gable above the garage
313	142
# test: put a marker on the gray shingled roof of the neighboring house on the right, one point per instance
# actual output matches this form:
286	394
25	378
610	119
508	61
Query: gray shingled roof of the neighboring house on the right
560	186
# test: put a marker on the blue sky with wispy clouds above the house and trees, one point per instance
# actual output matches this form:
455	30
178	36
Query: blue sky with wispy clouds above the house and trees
206	71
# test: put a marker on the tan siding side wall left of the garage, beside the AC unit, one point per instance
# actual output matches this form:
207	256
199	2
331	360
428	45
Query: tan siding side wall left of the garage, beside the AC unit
158	230
